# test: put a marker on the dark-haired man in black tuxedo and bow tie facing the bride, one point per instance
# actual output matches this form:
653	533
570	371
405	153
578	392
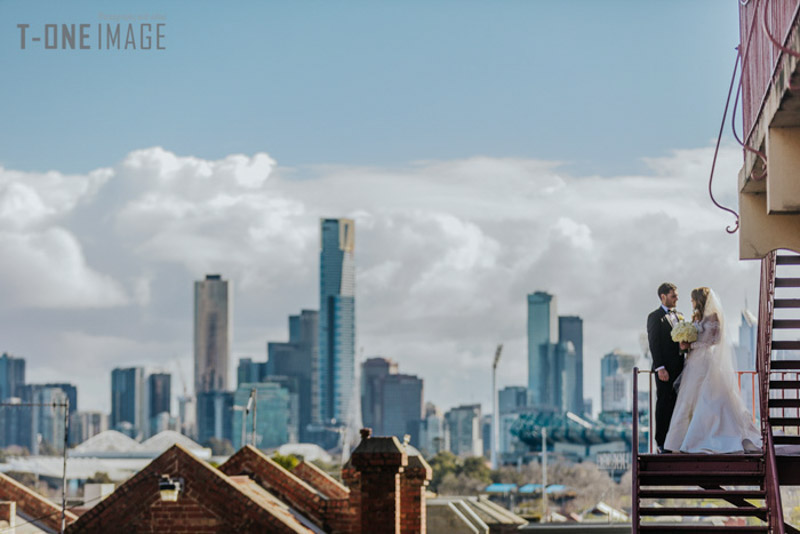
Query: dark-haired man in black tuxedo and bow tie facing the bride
667	357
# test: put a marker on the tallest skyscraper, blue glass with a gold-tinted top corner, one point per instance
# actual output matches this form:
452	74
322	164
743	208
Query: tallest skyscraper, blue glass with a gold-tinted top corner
335	385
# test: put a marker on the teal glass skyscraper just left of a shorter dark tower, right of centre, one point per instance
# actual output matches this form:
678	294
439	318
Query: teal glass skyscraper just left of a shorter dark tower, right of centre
542	339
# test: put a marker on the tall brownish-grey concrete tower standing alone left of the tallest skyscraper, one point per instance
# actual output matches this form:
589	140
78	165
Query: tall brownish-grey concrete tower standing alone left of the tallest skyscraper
212	328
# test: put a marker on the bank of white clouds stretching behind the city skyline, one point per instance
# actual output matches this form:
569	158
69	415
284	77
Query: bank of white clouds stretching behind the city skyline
445	251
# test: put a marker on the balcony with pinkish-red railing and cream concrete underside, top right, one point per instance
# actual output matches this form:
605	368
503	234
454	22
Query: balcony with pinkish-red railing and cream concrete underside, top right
769	186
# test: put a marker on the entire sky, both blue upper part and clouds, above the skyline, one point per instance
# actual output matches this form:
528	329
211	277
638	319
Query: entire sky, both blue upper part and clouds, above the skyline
486	149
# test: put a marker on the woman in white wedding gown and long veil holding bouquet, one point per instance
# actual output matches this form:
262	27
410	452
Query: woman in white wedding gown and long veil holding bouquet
709	415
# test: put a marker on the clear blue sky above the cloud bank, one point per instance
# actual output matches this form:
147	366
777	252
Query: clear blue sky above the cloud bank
596	84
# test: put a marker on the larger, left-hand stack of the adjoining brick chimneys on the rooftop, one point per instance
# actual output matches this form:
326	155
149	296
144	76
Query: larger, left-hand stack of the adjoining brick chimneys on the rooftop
379	462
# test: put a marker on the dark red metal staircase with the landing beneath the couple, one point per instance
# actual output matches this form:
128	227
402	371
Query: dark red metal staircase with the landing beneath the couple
735	492
